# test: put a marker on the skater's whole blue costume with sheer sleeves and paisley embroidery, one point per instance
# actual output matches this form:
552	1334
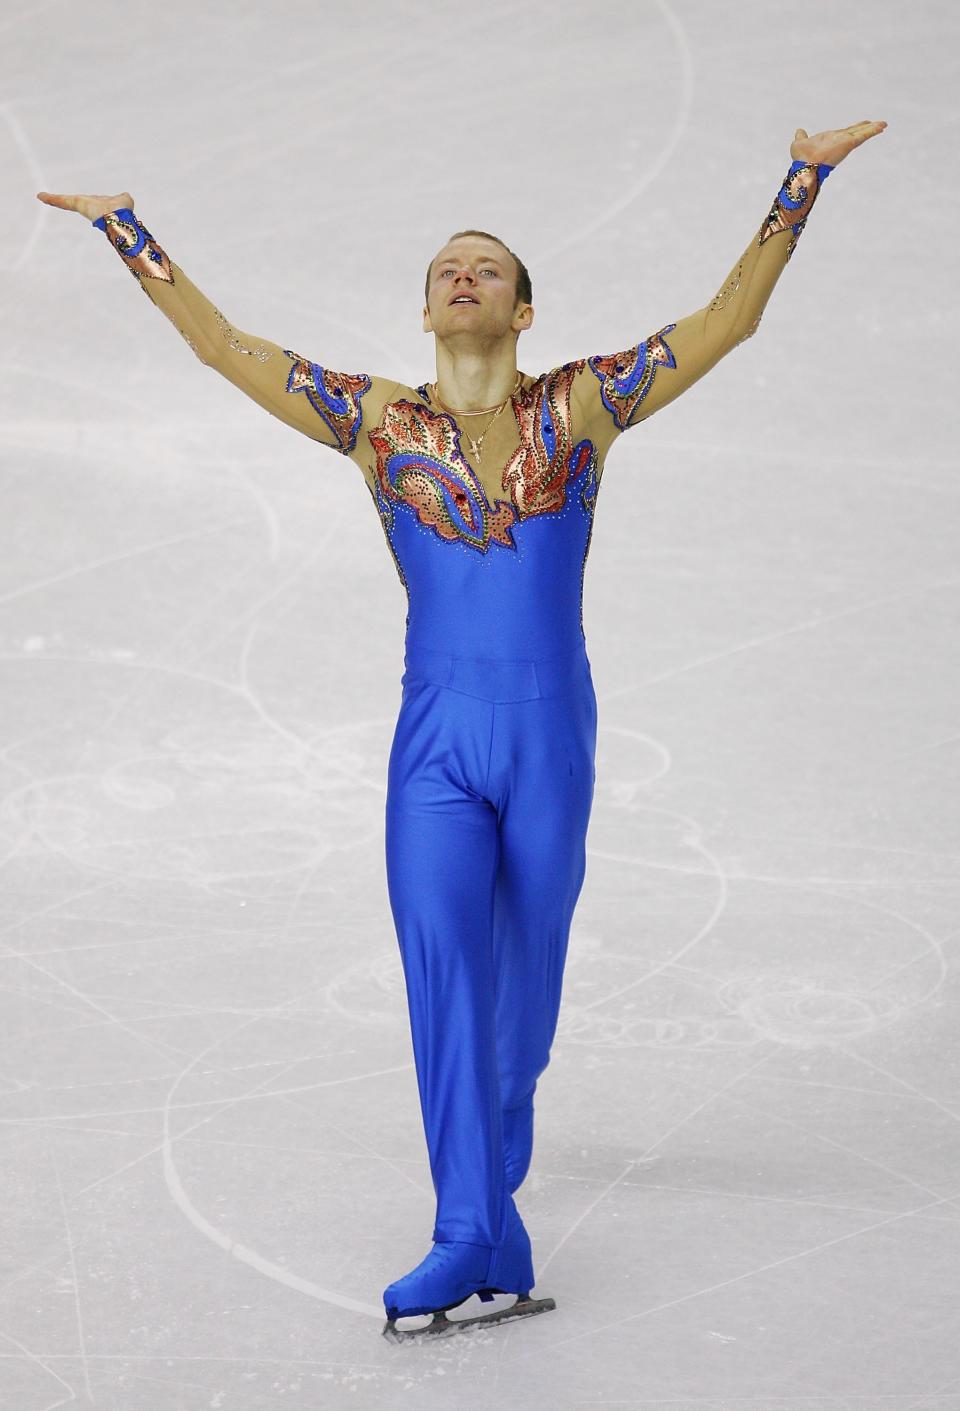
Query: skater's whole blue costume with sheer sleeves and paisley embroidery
492	768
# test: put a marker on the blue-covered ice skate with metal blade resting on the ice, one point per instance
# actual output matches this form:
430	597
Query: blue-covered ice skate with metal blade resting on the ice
460	1286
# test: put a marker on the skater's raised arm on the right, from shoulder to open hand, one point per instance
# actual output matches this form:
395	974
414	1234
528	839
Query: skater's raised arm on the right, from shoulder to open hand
620	390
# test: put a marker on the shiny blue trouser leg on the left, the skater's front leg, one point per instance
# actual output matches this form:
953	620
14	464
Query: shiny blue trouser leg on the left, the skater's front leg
441	868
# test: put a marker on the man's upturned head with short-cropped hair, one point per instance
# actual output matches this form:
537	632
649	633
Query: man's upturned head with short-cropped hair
484	277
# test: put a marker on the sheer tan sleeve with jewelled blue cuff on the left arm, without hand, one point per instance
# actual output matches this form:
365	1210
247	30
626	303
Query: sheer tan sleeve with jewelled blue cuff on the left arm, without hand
314	400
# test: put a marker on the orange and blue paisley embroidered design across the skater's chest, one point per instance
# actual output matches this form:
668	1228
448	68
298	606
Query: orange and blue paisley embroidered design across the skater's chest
421	464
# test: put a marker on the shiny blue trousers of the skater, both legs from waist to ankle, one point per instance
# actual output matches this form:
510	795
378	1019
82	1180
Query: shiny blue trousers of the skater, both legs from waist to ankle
488	806
